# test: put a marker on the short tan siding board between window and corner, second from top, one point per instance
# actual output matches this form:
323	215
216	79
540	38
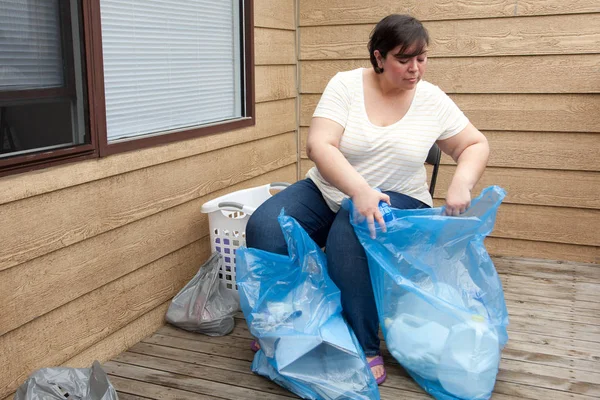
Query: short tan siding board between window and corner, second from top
274	46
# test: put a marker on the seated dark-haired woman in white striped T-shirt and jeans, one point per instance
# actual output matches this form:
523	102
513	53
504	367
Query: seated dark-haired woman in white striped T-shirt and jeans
373	128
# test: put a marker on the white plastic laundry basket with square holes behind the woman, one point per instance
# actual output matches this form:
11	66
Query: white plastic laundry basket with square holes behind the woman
227	219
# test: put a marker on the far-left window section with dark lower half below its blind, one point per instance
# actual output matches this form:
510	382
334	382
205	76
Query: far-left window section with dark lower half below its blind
42	84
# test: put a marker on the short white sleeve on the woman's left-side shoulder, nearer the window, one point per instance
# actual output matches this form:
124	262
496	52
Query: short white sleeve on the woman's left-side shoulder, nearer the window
335	101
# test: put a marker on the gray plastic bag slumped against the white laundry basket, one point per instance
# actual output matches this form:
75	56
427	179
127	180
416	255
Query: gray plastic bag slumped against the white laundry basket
202	305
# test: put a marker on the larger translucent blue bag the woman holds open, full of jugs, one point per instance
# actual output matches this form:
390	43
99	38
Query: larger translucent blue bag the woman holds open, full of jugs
439	299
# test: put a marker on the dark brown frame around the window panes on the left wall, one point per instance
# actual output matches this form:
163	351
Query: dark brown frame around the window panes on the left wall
94	70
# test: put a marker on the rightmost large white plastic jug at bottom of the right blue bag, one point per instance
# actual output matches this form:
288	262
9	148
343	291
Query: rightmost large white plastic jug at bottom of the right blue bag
469	362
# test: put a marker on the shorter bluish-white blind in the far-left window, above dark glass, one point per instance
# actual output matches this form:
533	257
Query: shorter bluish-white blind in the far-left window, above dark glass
30	45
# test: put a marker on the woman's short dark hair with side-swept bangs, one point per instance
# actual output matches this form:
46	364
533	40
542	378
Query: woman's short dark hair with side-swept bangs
397	30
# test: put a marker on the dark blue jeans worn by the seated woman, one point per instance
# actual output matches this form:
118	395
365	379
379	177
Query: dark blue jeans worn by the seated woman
346	259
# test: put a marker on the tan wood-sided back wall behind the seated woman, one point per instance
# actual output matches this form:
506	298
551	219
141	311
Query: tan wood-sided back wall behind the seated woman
527	74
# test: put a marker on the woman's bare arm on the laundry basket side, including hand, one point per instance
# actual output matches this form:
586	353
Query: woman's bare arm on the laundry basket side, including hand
322	147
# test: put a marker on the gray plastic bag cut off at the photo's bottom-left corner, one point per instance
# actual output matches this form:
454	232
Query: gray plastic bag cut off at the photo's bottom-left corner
61	383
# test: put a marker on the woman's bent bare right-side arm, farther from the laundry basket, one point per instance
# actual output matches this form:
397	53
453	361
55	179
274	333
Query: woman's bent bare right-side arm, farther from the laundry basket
470	150
